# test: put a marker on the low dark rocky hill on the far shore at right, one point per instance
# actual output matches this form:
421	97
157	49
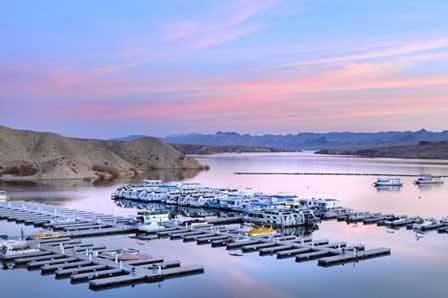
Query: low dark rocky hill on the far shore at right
423	150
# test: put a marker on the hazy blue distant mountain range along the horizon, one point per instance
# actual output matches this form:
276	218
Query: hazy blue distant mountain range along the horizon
312	141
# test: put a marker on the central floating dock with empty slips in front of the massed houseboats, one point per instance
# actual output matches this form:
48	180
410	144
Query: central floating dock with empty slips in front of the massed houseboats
302	249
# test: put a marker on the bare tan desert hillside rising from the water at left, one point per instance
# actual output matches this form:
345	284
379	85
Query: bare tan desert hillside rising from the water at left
41	155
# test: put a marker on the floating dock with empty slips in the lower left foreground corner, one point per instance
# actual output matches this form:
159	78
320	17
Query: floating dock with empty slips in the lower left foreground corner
87	265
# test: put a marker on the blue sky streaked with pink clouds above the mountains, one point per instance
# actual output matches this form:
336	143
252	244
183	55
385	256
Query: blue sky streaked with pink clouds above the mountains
113	68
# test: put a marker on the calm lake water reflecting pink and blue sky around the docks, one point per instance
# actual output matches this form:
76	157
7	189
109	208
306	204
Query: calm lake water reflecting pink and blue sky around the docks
416	268
